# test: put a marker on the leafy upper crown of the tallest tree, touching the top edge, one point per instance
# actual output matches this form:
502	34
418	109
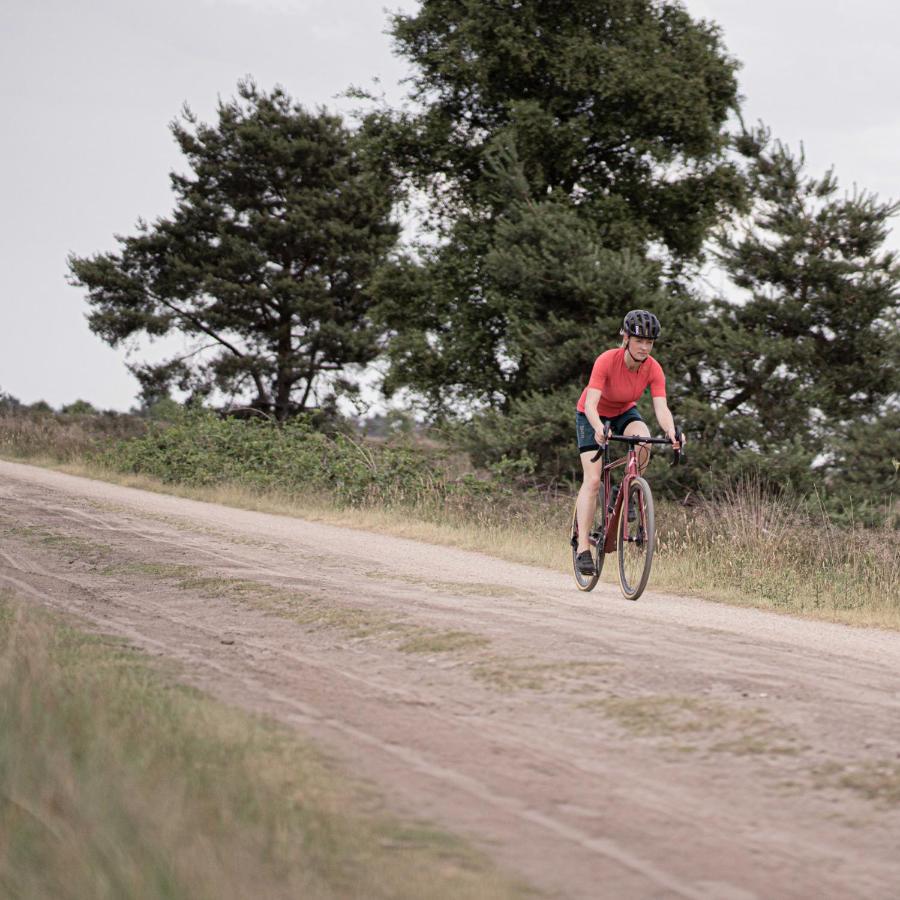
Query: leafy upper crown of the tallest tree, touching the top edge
617	105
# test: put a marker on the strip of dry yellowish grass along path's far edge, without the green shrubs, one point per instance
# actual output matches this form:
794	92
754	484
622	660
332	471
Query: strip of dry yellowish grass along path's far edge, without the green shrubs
748	547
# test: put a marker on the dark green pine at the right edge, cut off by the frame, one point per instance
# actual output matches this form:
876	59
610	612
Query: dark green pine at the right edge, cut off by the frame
811	371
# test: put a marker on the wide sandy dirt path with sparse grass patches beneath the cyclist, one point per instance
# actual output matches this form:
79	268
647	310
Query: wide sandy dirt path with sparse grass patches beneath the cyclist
668	748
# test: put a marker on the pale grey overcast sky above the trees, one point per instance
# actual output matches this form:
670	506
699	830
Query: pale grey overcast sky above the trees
88	88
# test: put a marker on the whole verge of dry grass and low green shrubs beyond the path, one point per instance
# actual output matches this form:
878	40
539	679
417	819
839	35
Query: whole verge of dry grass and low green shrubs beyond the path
747	547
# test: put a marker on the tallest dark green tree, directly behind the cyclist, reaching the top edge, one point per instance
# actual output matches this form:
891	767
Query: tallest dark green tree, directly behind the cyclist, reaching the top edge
574	158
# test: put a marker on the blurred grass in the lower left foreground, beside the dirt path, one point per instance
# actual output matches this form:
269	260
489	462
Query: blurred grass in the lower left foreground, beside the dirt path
116	781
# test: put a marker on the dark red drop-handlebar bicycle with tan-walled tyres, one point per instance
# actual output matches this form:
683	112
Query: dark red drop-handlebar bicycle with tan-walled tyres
633	536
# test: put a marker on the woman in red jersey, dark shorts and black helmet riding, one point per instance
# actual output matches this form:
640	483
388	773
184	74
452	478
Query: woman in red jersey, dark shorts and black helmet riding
618	379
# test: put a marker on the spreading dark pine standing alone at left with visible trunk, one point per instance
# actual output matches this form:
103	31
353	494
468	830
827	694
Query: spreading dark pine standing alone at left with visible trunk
264	264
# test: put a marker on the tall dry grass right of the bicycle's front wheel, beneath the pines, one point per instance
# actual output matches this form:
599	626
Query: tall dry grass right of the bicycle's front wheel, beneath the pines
752	544
